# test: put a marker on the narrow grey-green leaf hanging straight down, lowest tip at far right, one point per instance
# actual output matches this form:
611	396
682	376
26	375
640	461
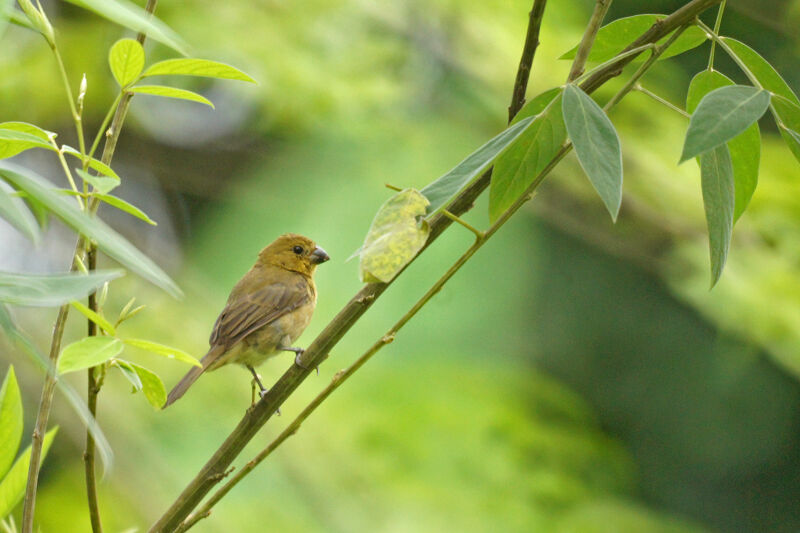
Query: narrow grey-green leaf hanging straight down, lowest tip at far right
716	173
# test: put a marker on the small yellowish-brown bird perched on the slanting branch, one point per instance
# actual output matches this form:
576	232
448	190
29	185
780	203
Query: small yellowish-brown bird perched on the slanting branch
266	312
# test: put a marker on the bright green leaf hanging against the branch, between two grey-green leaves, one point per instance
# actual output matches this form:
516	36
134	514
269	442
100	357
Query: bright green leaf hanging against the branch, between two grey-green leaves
517	167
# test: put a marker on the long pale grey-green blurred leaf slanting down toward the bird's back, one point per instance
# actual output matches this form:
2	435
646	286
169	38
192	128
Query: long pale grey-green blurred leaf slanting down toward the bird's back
108	240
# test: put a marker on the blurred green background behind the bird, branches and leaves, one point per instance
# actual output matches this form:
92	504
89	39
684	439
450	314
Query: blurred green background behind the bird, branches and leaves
575	376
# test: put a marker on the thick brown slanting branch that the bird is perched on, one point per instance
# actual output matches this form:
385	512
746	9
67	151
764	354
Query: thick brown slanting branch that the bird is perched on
256	416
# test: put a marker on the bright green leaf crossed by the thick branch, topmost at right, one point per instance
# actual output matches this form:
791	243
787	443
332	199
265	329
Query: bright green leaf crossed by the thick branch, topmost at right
615	36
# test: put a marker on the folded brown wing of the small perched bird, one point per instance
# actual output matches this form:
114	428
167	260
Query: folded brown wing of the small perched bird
249	312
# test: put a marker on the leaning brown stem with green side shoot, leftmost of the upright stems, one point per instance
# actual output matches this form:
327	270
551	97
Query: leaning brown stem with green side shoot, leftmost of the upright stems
48	389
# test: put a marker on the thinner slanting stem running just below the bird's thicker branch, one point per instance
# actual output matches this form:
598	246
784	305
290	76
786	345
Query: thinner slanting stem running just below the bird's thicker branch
341	376
